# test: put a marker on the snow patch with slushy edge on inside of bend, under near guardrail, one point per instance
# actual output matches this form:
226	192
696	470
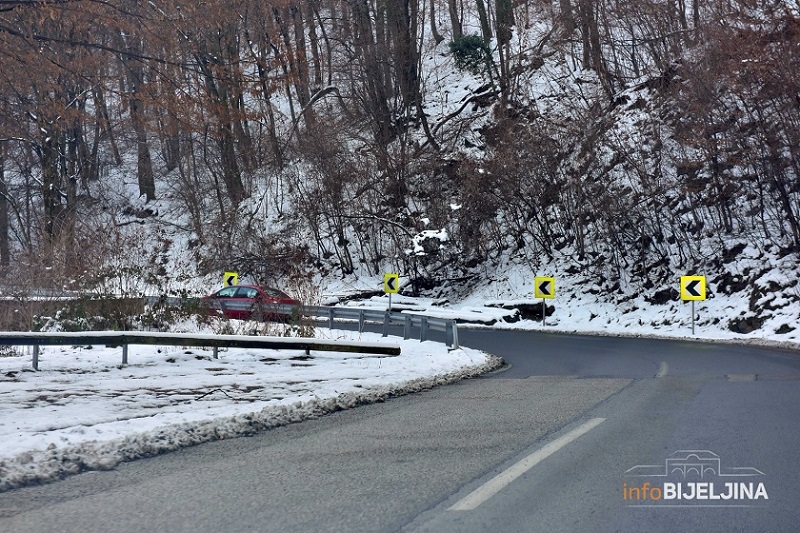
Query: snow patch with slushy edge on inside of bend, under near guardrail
83	410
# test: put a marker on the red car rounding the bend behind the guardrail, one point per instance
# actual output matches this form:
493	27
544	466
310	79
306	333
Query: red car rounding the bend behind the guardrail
251	302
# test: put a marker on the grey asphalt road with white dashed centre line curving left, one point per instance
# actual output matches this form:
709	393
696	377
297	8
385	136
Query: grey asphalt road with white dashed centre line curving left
553	443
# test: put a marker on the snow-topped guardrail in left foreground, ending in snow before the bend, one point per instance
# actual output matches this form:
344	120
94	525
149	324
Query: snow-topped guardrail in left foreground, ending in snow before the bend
112	338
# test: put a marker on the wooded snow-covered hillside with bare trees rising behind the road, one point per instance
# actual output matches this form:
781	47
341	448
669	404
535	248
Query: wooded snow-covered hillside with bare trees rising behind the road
656	145
